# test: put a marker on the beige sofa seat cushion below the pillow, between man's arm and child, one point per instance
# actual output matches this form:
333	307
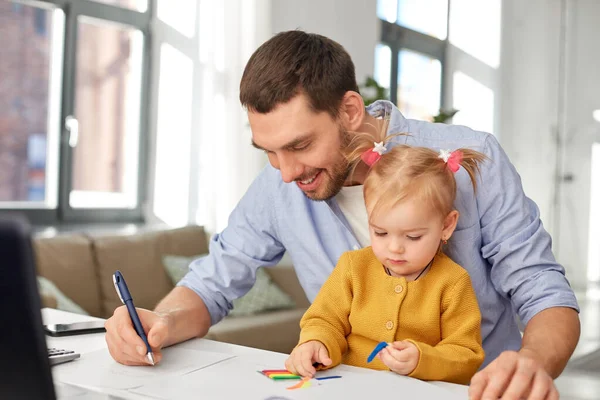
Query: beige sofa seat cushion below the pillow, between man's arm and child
275	331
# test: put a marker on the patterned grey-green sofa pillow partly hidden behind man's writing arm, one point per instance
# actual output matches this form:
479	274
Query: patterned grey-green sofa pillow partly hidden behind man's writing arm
265	295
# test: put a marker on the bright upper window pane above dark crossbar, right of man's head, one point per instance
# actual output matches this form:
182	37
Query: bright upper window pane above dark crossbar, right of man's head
426	16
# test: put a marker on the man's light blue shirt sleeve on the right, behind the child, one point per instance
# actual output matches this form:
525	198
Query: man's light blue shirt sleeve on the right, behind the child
515	242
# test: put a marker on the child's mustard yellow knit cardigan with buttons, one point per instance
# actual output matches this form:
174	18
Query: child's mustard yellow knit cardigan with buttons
360	306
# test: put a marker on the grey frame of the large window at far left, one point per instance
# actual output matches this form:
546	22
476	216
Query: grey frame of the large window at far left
64	213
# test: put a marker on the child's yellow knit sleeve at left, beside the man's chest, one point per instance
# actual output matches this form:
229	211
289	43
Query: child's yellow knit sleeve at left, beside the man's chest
327	319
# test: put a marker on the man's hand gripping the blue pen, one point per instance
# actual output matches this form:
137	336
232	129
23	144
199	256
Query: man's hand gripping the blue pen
124	344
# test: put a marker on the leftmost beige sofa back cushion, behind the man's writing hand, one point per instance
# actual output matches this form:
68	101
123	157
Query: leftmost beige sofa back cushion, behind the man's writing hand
68	262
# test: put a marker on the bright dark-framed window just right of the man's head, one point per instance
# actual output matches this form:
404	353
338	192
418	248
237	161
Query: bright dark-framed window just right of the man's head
415	32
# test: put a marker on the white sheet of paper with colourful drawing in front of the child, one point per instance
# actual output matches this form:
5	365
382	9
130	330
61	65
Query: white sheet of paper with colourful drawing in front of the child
237	378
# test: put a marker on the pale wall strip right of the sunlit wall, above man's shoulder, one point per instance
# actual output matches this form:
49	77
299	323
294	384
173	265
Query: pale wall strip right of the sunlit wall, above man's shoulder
529	102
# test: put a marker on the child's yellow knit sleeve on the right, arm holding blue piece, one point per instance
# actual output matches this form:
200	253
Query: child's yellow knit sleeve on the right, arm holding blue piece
459	354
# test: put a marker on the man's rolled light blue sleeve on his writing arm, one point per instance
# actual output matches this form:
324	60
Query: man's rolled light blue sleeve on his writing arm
247	243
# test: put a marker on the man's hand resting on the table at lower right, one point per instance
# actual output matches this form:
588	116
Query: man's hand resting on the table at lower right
513	376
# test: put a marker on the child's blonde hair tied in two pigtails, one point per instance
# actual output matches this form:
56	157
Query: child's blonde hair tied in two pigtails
406	172
